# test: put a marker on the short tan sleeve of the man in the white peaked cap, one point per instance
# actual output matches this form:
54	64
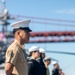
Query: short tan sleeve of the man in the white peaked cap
12	56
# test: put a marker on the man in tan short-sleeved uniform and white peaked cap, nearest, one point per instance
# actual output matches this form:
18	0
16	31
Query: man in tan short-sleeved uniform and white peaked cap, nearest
16	60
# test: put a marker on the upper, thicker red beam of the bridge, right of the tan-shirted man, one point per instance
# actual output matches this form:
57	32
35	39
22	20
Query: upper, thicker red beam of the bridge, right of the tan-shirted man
46	34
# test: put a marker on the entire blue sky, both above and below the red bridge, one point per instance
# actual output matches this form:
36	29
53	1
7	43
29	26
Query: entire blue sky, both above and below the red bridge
54	9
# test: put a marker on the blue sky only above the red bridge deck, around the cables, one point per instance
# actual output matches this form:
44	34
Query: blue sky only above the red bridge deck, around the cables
46	9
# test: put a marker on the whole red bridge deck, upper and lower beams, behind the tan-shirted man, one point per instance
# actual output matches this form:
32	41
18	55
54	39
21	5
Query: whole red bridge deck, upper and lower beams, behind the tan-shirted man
43	37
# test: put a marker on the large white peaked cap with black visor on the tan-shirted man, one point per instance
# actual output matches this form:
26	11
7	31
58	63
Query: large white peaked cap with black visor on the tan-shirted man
24	24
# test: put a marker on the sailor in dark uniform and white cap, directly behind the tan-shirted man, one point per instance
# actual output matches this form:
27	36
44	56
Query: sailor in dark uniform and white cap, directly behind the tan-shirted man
33	65
